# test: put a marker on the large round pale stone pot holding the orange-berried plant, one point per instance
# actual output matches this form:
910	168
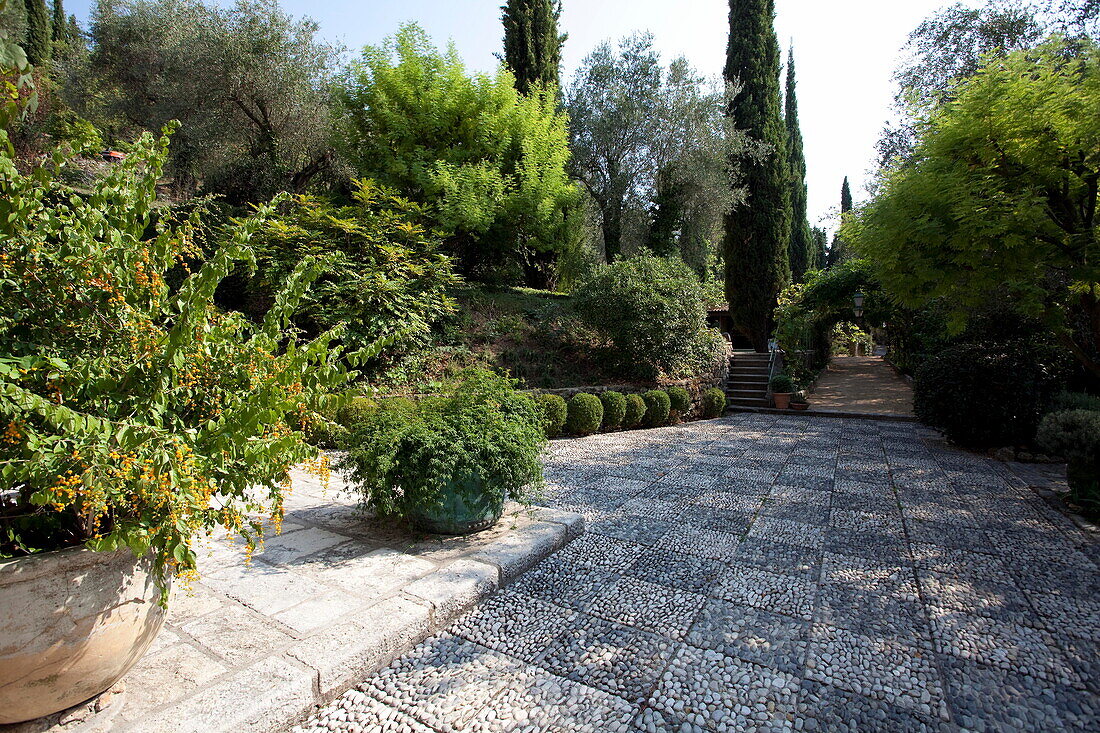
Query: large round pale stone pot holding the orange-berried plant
72	623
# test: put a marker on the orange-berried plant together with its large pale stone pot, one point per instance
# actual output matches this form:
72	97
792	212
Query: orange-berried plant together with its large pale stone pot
135	415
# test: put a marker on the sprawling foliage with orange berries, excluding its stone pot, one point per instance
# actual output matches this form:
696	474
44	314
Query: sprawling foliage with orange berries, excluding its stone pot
140	415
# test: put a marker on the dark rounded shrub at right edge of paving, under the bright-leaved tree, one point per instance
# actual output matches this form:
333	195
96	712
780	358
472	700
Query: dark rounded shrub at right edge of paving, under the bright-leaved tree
985	396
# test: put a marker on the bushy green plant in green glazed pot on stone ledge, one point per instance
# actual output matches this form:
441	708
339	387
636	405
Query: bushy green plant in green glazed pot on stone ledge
447	464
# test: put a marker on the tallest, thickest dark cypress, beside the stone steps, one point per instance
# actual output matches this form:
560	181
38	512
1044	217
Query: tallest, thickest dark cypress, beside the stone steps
757	233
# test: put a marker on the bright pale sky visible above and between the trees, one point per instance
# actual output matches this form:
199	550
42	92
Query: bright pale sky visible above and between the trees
845	54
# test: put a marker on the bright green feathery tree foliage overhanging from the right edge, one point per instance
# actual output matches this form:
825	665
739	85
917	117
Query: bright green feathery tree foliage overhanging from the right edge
1000	200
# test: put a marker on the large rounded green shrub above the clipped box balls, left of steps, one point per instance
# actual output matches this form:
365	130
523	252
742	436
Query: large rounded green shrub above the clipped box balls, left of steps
652	311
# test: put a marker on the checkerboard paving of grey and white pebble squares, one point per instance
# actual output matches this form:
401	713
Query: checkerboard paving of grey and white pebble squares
772	574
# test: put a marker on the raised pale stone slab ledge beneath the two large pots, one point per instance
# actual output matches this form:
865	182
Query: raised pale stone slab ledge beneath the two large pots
257	646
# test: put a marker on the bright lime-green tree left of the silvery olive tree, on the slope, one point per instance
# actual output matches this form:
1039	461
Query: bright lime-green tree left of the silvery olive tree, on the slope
487	163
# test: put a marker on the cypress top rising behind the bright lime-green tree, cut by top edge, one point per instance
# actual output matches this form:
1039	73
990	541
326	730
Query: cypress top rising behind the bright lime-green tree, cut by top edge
532	42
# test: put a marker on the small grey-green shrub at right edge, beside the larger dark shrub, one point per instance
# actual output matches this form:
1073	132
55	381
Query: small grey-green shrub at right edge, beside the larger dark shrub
1075	435
